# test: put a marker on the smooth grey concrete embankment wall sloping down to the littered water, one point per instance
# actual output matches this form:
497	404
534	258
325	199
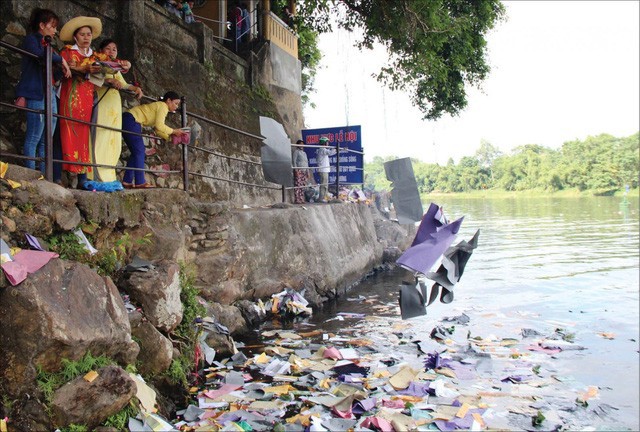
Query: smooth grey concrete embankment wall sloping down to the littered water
247	254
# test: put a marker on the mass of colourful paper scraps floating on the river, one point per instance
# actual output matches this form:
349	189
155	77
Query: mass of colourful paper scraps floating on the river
378	374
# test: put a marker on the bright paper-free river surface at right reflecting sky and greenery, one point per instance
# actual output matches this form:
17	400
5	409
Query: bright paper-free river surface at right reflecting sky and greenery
572	261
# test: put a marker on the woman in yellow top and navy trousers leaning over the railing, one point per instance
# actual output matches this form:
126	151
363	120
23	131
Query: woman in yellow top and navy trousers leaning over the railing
152	114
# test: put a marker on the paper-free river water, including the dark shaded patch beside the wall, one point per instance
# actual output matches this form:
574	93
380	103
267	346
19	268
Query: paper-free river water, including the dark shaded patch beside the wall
543	264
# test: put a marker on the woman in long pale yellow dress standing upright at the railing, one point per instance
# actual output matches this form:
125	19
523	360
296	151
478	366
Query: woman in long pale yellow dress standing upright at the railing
107	144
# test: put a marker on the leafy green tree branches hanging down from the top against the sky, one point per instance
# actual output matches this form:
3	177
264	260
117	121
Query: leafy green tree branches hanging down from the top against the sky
435	47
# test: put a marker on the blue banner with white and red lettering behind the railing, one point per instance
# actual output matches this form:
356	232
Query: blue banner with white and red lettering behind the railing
351	163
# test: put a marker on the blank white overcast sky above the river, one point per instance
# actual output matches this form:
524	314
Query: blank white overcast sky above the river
560	71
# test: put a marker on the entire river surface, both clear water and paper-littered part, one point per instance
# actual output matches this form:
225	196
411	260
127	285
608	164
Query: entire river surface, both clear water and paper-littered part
542	335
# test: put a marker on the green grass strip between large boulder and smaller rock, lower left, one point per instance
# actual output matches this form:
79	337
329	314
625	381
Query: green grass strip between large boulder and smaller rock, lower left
49	382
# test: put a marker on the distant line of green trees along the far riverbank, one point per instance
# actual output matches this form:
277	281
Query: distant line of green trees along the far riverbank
602	164
